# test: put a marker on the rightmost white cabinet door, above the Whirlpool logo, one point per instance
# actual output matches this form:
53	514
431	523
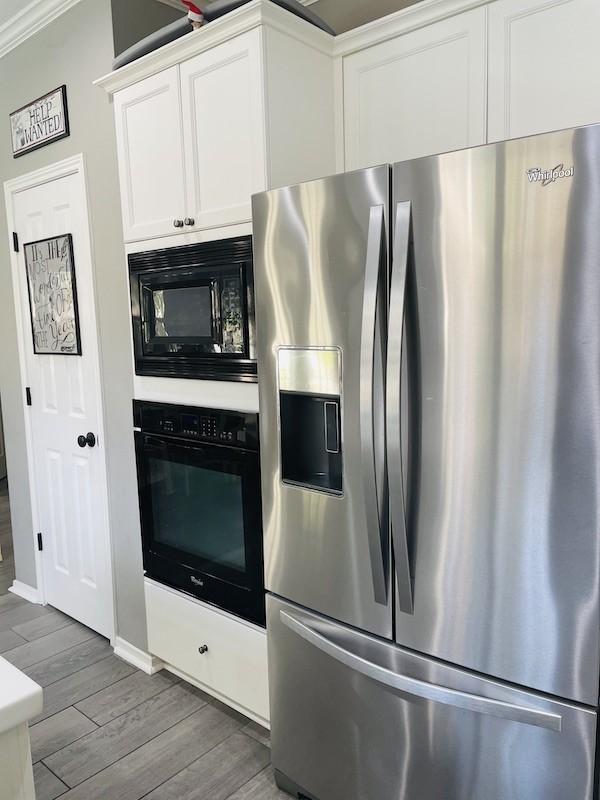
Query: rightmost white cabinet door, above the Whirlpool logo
544	69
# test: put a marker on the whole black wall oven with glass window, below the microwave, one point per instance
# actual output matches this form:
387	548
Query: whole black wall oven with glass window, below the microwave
200	503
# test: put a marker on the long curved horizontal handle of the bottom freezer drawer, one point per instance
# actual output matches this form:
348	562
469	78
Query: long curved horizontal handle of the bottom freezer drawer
418	688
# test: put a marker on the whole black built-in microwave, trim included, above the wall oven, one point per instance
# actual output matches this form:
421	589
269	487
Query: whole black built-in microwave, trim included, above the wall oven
192	311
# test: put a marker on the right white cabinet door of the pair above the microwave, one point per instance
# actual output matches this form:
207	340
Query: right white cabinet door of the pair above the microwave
224	134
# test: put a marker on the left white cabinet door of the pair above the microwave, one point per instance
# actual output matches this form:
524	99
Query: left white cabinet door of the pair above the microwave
150	148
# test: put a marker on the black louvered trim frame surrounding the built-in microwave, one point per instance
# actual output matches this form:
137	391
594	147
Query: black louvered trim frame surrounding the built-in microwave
211	258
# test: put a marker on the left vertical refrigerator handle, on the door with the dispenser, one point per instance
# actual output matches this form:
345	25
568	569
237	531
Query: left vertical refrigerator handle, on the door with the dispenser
367	433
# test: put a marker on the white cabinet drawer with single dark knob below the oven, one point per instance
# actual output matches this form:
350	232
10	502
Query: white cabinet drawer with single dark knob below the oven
234	666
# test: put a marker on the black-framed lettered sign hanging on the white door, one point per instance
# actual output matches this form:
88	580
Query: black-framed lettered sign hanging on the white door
53	296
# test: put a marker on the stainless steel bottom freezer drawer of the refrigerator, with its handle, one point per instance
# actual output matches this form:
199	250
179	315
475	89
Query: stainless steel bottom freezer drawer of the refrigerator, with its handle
439	733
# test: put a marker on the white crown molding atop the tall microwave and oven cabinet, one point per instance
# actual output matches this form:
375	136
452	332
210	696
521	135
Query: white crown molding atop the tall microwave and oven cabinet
245	18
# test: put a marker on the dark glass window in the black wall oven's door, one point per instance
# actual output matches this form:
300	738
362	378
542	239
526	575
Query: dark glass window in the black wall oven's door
198	511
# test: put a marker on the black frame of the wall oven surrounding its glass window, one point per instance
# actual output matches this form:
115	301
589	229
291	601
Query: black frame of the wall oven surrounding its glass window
240	594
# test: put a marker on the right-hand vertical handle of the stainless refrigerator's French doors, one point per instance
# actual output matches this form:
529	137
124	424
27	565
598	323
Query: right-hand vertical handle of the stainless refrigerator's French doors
402	232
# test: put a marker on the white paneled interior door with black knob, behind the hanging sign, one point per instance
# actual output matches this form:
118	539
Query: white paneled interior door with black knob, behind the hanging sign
70	480
